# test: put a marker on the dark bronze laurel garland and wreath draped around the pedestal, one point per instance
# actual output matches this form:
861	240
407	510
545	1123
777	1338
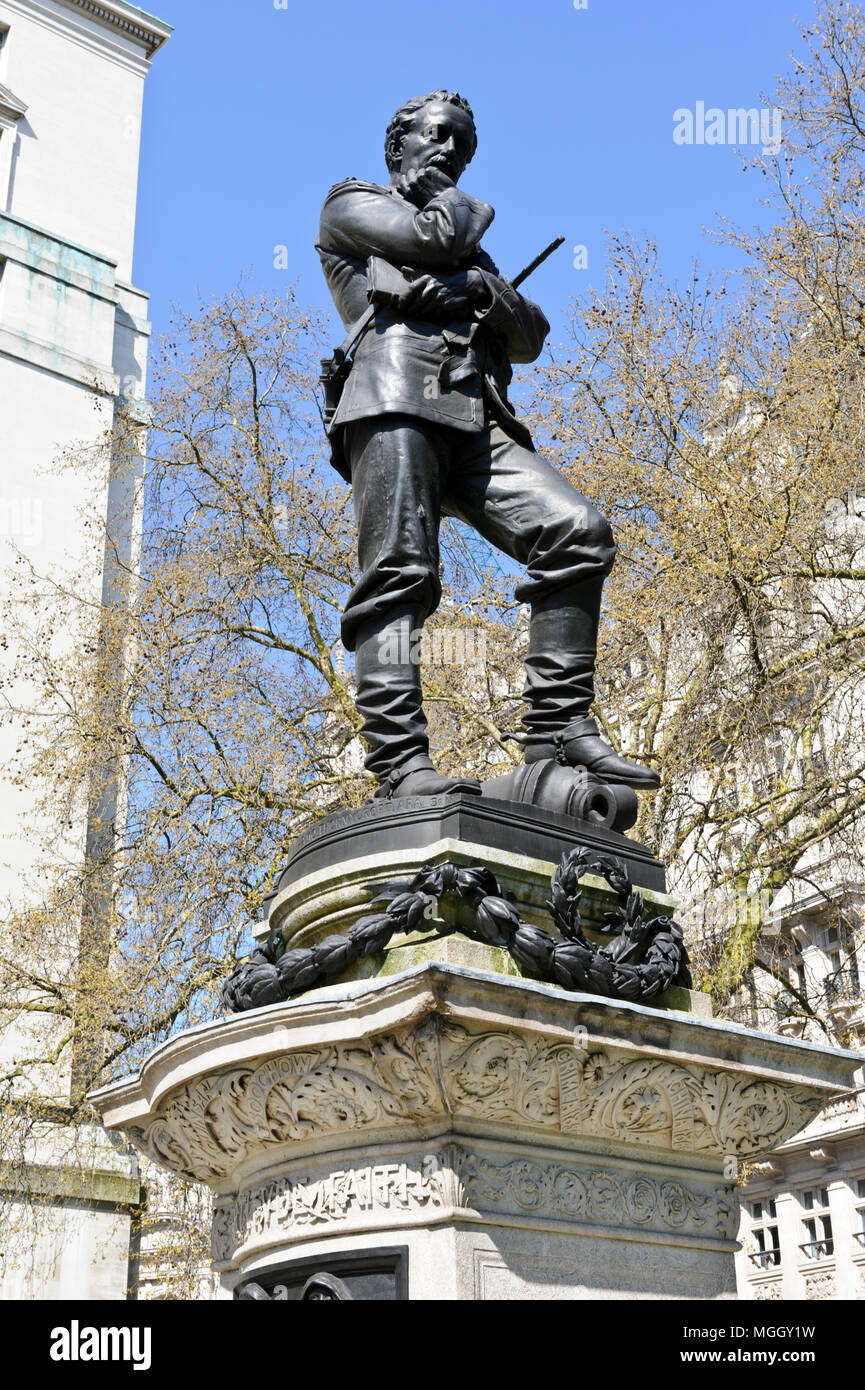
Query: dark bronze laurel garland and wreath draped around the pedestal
642	960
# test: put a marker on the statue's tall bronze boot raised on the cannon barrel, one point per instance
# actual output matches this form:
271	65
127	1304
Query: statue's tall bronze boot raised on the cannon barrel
560	687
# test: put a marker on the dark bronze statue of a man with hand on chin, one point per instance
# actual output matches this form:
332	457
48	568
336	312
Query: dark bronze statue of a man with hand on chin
425	429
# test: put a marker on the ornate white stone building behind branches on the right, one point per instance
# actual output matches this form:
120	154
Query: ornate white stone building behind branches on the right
803	1209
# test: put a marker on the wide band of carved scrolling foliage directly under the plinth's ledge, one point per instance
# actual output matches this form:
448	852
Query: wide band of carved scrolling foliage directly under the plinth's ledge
440	1068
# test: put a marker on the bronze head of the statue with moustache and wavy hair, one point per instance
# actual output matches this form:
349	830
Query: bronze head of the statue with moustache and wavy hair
436	130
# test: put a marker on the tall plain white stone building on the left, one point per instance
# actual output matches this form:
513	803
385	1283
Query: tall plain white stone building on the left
73	354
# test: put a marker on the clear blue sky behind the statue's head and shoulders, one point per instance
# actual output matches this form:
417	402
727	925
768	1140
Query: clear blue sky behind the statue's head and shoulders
252	112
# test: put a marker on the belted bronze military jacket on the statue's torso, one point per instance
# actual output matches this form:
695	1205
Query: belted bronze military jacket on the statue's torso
455	375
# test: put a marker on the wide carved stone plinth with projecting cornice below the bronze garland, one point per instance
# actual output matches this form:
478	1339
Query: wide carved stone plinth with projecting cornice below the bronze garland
448	1134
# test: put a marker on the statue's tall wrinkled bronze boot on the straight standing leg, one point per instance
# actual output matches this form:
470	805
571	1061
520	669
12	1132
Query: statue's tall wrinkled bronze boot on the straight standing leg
390	700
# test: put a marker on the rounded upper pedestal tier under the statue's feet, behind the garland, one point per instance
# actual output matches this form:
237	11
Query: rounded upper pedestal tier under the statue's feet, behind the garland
329	882
